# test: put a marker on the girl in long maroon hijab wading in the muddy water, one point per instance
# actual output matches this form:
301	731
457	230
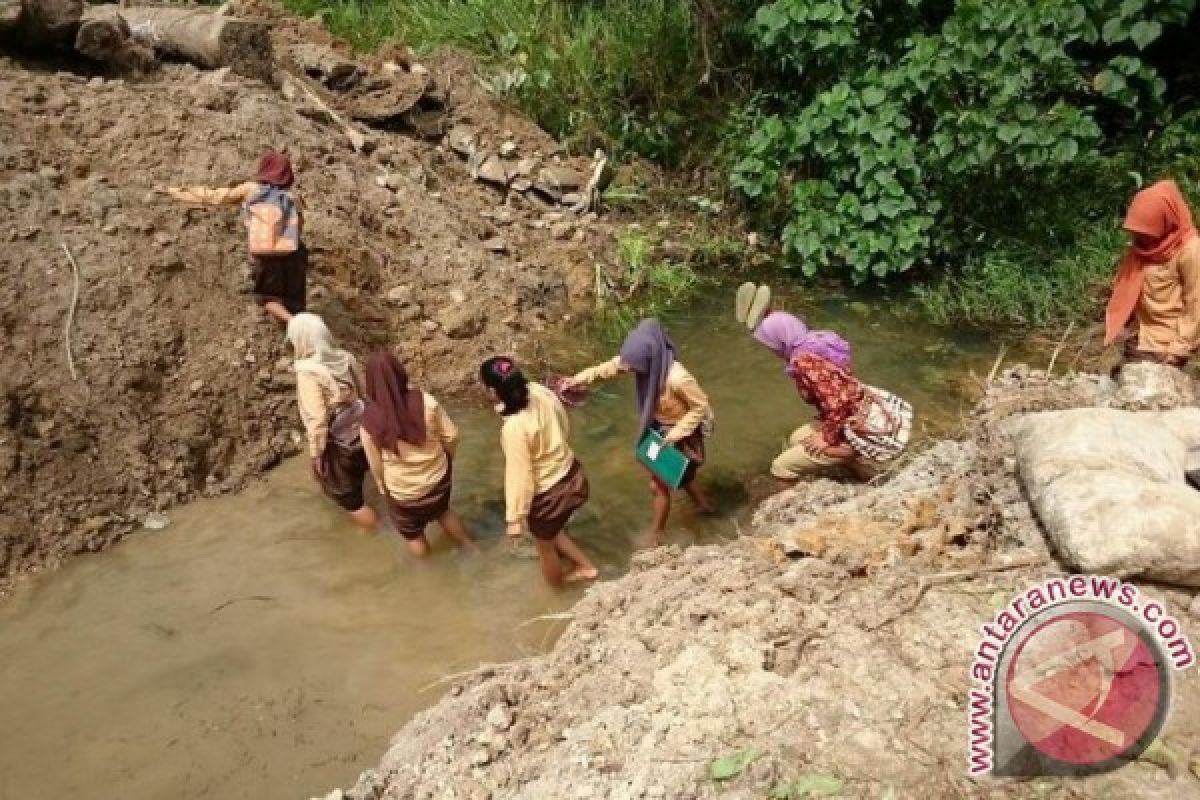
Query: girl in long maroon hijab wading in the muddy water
410	444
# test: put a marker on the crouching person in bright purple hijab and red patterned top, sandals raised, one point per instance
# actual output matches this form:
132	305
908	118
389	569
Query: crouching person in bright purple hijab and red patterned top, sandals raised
860	426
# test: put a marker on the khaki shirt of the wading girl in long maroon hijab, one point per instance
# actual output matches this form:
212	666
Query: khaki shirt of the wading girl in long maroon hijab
413	471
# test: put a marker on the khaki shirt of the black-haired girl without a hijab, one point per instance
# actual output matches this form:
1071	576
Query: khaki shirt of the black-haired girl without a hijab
537	455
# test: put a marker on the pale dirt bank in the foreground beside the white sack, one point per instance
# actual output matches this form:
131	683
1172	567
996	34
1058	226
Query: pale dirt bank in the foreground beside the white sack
848	671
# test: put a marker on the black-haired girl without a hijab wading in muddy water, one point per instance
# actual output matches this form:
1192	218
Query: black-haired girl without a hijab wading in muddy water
544	484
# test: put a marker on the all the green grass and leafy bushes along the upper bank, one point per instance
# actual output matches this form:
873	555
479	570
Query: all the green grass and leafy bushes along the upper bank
976	153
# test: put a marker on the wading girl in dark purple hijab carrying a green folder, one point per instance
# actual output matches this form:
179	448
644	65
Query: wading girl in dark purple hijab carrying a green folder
669	401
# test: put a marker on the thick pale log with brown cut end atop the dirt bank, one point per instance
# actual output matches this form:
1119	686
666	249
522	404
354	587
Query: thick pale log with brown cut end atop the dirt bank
202	38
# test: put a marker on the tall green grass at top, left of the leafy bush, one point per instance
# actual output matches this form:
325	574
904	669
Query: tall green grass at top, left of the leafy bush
617	74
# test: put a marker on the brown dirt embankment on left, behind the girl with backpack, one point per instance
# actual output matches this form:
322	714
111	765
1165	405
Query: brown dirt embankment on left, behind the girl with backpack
183	388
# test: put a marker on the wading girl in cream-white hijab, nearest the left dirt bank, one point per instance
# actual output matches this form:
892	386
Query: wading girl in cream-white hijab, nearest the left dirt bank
331	408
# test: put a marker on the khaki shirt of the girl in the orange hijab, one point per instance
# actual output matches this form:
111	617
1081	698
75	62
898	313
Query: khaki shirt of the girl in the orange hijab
1169	311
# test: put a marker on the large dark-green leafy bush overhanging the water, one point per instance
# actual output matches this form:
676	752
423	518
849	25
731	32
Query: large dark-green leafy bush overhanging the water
923	133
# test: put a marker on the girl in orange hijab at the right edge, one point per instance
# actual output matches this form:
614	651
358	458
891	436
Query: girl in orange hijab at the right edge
1157	291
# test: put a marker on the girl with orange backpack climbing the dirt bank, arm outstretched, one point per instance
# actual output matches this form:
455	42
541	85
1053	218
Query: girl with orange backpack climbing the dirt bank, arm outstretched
274	221
